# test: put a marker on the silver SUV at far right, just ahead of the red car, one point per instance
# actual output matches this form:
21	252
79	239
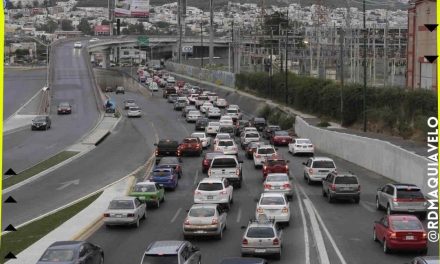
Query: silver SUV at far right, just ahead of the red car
401	198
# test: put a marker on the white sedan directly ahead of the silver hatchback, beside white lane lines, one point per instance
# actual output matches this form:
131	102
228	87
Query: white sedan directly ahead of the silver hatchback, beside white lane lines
274	206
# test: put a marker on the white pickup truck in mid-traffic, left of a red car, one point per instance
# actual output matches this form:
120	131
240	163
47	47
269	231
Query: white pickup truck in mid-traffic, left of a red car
227	166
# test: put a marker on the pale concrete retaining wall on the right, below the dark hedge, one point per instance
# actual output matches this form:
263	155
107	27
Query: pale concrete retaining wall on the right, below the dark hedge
379	156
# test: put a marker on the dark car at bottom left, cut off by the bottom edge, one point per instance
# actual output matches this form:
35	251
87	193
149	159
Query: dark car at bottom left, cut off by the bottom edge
71	252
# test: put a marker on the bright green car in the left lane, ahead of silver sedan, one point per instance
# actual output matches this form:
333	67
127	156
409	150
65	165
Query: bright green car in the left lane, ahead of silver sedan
149	192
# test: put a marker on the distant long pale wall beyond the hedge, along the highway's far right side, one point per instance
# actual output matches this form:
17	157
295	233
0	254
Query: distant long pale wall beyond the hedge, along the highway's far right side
217	77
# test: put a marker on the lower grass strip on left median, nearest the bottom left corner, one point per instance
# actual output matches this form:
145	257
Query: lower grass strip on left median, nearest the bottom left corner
25	236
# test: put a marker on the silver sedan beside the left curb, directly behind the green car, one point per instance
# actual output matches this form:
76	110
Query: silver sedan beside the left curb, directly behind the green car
125	211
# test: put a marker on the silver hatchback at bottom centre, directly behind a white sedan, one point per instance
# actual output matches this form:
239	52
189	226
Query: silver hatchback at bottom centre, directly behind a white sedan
262	237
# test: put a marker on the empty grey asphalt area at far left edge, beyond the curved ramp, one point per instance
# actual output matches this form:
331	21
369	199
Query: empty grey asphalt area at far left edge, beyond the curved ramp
19	86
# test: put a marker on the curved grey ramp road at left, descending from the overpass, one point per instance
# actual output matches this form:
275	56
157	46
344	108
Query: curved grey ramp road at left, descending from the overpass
72	83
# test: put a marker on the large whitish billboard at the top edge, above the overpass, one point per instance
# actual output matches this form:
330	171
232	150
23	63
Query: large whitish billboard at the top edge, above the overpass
132	8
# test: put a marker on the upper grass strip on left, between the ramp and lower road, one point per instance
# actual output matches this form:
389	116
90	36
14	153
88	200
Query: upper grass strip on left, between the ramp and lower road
44	165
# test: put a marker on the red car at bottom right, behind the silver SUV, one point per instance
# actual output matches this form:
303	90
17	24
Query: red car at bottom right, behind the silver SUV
400	232
